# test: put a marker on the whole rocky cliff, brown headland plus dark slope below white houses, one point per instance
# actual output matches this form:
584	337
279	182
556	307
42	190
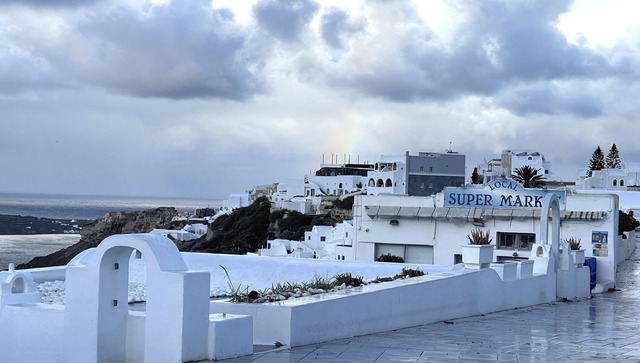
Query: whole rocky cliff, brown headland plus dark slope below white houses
245	230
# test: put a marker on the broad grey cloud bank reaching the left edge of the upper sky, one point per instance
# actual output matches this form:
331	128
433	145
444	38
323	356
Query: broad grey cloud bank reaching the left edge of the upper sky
185	49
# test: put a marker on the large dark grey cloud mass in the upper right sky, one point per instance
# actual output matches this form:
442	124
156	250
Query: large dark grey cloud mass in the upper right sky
499	45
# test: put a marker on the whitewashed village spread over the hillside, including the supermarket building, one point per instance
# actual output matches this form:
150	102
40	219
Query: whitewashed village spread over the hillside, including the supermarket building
396	206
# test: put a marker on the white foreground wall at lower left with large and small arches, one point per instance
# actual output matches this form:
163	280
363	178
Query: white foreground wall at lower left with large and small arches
96	324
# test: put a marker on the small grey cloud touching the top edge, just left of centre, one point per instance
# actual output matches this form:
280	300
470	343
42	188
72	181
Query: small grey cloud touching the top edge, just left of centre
284	19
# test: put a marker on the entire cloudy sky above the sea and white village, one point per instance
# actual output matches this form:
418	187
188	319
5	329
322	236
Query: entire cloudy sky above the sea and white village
205	98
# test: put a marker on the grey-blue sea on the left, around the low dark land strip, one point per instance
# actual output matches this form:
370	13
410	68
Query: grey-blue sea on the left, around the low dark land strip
22	248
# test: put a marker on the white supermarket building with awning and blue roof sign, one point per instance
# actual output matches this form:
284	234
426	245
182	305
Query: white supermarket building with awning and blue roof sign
432	229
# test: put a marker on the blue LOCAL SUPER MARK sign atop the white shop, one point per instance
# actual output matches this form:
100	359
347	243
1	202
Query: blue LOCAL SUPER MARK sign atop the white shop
499	193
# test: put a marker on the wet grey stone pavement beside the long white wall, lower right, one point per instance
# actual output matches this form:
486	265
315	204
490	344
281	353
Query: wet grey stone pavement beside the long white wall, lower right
604	328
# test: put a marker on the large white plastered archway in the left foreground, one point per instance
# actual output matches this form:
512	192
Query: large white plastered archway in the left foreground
96	308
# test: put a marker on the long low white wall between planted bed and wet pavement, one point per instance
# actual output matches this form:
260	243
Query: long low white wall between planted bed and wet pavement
391	305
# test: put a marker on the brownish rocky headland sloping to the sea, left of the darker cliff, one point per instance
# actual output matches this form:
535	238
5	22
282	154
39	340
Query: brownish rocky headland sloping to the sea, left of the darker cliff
113	223
